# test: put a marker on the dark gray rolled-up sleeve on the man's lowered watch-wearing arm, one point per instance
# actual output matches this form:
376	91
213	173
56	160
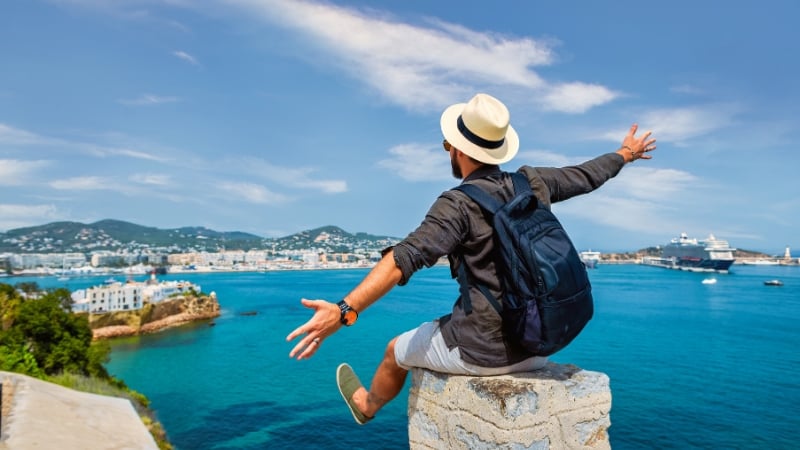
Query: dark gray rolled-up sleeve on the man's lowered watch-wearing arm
438	235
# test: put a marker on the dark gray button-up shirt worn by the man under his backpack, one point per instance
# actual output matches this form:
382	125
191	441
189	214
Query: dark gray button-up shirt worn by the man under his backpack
456	227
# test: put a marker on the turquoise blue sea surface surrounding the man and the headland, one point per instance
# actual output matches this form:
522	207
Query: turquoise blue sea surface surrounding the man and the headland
692	365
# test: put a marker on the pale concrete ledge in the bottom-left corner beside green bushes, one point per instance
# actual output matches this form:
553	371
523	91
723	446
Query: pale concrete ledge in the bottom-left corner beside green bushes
43	415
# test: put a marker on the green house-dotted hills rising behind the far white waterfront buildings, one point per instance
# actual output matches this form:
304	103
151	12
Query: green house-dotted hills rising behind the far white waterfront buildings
116	235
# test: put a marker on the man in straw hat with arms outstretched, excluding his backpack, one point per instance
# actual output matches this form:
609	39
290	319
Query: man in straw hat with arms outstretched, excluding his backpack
479	137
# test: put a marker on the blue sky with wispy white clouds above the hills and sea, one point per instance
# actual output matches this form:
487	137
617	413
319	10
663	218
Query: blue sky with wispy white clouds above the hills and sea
274	117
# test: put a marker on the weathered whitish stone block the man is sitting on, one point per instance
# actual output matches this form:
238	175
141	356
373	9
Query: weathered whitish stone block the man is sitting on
557	407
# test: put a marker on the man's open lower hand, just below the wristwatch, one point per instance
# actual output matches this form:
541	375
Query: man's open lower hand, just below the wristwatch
322	324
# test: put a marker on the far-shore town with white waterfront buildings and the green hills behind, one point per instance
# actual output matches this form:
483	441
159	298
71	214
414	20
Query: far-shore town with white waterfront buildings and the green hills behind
92	250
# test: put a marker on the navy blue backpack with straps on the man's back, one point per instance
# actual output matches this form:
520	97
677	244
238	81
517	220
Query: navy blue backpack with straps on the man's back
547	297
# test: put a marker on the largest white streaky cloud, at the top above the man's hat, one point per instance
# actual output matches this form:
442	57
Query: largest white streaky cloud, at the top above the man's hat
425	67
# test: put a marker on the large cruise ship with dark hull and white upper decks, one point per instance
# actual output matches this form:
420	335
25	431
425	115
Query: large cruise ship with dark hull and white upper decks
684	253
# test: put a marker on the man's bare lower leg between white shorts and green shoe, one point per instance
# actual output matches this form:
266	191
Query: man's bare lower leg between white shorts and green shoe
387	382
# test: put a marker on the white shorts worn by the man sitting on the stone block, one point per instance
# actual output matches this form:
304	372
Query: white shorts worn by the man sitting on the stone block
424	347
